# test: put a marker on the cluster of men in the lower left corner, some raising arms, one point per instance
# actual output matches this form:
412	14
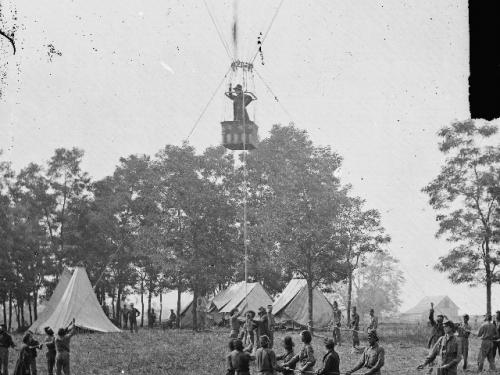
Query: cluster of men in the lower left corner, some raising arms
57	353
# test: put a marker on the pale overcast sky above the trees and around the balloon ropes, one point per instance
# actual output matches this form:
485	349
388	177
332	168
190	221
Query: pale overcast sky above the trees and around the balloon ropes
375	80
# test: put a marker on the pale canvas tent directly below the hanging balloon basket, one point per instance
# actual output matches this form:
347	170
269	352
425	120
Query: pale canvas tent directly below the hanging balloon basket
234	297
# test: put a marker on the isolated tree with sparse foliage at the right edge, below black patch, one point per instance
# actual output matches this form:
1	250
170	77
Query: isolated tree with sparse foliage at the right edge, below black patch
464	195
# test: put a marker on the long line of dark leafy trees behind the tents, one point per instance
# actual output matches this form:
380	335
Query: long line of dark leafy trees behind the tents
175	221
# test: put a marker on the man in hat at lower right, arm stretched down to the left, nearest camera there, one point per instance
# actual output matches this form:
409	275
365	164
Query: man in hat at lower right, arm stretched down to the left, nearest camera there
448	349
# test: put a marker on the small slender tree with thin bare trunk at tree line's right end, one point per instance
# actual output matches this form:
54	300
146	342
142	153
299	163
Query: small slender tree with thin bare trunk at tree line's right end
360	233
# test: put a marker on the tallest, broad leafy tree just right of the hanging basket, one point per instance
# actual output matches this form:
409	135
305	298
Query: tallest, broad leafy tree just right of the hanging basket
296	199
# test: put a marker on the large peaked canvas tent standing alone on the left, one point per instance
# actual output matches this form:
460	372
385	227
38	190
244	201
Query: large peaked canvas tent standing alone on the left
78	301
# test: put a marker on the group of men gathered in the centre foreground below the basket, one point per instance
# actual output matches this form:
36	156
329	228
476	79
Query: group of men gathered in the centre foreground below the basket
255	340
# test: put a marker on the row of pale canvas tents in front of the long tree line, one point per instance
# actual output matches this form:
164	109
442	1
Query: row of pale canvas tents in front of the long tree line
74	297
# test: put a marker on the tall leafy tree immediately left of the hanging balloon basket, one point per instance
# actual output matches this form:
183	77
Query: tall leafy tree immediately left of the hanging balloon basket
197	217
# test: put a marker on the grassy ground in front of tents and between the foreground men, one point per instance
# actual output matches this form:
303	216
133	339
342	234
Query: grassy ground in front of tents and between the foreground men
174	352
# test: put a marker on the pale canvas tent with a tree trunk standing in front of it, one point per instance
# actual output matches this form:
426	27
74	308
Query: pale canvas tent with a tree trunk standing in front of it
292	305
